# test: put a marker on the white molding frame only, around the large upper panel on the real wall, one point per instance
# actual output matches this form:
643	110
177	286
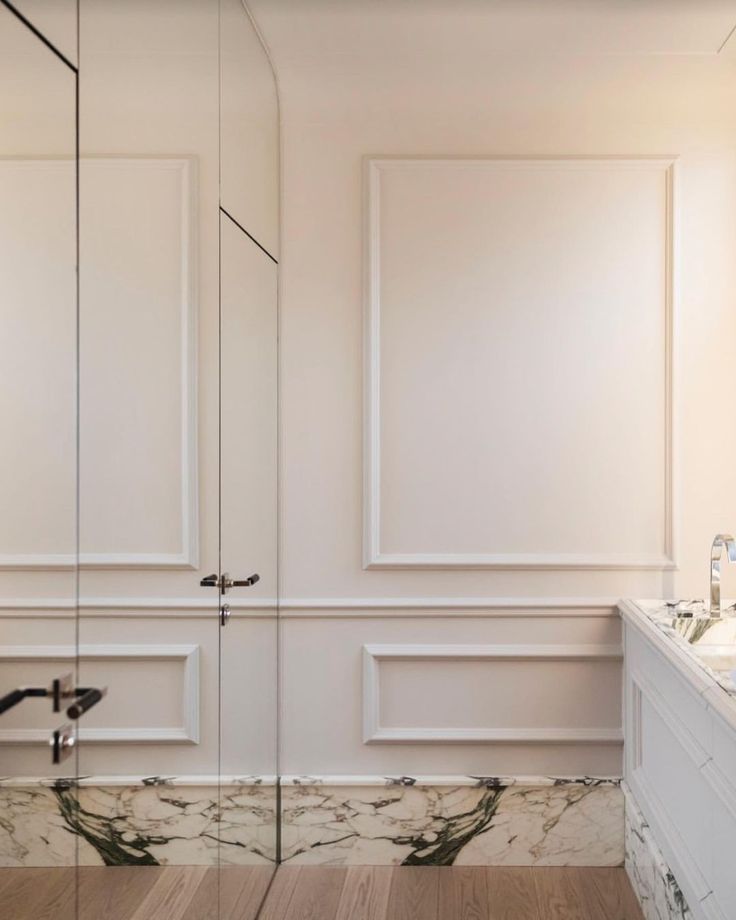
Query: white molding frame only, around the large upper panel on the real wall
373	556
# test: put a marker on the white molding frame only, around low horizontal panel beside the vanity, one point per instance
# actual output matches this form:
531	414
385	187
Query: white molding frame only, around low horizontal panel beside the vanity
373	732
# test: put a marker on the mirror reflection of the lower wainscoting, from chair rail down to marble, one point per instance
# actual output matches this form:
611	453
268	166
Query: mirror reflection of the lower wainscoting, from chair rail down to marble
160	663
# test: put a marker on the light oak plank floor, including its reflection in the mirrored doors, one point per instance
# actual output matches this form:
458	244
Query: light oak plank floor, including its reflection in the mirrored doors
316	893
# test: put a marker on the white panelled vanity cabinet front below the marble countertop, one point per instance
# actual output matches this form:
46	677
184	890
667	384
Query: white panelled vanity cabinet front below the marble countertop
680	763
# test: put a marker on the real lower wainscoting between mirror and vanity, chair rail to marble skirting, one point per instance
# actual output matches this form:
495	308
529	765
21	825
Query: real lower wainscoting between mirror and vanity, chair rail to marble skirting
535	693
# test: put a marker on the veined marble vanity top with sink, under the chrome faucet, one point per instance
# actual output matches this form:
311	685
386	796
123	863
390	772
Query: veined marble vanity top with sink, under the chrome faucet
707	641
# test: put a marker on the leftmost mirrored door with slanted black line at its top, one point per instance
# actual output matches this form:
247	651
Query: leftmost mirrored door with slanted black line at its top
38	472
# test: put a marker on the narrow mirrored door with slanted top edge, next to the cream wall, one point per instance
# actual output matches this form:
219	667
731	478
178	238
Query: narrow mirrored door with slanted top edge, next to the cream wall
248	464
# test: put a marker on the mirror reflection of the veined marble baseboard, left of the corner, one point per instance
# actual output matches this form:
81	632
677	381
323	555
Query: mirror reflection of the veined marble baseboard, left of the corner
155	821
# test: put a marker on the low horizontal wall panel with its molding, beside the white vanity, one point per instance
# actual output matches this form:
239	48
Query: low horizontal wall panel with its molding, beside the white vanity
450	693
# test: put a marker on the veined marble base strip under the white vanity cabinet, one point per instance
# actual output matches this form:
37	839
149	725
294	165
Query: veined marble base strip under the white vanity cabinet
651	878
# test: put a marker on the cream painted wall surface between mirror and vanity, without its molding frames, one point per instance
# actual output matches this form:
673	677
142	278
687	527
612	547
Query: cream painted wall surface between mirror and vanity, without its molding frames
339	108
